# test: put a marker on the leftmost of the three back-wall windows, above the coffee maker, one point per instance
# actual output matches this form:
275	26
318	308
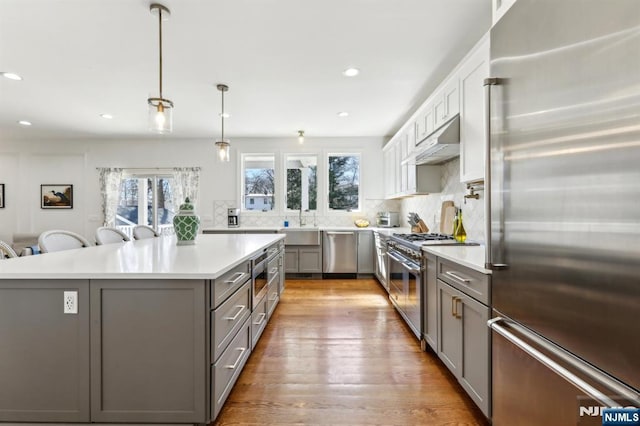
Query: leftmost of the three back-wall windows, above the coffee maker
258	188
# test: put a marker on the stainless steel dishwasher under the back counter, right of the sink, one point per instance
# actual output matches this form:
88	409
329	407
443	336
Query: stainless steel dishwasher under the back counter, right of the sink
340	252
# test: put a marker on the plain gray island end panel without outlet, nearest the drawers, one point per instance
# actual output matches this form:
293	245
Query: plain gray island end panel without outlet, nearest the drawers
147	346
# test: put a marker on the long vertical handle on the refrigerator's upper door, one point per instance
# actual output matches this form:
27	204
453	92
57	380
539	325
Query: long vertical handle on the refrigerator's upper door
488	82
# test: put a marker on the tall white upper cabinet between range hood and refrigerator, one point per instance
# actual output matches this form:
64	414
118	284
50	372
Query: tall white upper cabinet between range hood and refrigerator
473	70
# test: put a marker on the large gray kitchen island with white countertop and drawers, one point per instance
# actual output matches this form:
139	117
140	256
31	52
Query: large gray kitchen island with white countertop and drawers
138	332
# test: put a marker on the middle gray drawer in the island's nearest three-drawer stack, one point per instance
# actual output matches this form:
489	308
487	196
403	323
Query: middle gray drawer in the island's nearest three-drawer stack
228	318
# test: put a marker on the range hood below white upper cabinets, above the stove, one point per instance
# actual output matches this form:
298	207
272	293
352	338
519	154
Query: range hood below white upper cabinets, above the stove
441	145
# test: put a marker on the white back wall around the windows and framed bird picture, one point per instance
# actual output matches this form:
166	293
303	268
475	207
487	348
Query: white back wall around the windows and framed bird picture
24	166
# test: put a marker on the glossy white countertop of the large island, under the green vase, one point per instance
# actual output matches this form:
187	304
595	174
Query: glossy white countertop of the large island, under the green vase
210	257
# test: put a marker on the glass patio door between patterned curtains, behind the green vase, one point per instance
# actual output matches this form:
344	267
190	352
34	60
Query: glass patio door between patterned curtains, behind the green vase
146	200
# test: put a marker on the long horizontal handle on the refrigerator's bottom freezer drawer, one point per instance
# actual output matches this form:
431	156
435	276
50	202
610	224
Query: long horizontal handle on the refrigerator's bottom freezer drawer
495	325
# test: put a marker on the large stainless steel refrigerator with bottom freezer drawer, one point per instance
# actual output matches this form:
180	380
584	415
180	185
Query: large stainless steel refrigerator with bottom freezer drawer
563	123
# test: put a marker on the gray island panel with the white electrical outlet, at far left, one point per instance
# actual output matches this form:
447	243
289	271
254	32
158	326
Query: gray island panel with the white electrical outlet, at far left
44	353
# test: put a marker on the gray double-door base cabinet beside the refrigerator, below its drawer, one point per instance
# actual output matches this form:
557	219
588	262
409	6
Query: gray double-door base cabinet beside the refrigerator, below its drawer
464	342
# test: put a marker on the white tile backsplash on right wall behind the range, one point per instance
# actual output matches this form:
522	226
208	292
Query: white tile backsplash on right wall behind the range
428	206
